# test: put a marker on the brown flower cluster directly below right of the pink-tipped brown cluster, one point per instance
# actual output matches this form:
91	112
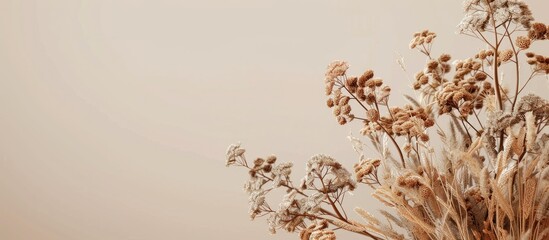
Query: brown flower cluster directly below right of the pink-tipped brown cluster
406	121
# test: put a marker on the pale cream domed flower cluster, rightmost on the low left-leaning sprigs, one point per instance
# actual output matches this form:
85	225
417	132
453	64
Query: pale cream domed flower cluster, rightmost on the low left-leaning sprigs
331	173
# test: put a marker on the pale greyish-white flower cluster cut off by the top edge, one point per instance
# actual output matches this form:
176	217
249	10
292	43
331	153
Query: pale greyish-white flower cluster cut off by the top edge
479	14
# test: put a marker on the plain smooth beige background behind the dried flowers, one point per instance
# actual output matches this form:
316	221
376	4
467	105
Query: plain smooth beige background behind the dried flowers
115	114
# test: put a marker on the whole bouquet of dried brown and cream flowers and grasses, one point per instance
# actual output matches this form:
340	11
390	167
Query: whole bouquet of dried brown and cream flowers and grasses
488	180
